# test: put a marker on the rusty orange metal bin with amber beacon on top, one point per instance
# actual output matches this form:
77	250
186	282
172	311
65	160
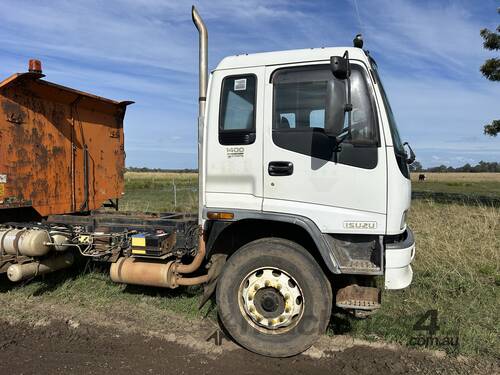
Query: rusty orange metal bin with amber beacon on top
61	150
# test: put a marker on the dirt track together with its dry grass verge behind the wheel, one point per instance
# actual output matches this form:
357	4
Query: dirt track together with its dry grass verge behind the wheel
36	338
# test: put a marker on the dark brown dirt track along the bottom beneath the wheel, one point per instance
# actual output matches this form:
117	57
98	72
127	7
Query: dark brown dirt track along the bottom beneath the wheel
71	347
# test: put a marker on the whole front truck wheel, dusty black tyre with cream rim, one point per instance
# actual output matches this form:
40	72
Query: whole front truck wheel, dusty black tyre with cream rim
273	298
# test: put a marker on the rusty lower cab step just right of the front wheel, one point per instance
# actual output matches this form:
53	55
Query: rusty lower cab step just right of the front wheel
358	297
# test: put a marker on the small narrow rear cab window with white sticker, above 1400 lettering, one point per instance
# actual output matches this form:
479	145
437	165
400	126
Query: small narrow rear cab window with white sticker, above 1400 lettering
237	110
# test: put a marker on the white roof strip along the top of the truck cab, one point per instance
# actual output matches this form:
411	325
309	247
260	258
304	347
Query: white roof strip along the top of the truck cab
288	57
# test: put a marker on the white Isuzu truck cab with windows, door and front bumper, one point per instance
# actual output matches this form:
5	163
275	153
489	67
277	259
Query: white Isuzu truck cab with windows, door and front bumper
270	150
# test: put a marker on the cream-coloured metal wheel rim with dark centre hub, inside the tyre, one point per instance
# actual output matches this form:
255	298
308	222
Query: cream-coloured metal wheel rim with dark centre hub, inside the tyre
271	299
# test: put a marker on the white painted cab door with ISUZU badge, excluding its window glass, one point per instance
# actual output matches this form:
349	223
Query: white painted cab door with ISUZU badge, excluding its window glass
339	198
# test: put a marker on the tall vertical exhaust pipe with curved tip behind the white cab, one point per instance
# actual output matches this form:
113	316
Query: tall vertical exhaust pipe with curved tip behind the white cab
202	100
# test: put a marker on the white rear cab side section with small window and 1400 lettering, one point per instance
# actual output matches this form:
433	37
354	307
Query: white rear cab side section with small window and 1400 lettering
234	140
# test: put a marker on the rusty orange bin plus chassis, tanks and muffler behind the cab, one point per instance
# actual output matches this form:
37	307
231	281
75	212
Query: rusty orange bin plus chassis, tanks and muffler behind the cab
62	158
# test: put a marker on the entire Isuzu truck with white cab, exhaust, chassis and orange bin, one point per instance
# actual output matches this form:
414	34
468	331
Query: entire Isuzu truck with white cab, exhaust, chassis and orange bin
304	191
